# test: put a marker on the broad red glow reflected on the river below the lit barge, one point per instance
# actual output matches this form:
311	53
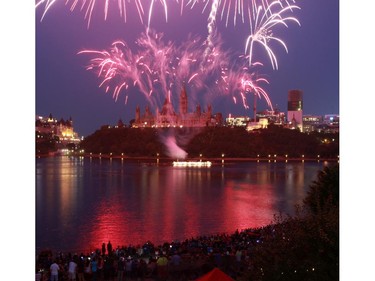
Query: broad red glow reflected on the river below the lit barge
176	211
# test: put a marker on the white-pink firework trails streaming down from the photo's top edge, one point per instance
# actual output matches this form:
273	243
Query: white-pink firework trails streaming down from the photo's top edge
262	16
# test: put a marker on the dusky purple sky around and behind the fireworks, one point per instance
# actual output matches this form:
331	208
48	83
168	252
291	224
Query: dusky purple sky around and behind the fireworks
66	89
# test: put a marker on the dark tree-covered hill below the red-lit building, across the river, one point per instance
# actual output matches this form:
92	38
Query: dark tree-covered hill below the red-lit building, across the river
213	142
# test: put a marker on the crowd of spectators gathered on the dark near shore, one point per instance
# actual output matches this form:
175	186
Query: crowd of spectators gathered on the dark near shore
185	260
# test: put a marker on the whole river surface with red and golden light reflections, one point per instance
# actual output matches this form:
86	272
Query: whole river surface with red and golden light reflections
81	203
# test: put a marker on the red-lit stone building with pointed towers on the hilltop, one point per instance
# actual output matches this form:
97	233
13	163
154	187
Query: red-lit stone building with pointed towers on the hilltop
167	117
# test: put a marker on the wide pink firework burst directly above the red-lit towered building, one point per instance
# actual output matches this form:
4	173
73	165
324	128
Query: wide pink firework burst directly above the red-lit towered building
158	70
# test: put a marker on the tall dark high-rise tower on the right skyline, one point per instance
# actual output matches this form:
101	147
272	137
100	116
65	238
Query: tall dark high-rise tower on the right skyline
295	108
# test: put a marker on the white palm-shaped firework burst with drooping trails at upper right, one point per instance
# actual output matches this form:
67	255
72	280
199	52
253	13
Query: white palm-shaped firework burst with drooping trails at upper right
261	25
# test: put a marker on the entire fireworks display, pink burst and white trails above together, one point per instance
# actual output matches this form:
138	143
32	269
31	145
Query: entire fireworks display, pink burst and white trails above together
158	69
